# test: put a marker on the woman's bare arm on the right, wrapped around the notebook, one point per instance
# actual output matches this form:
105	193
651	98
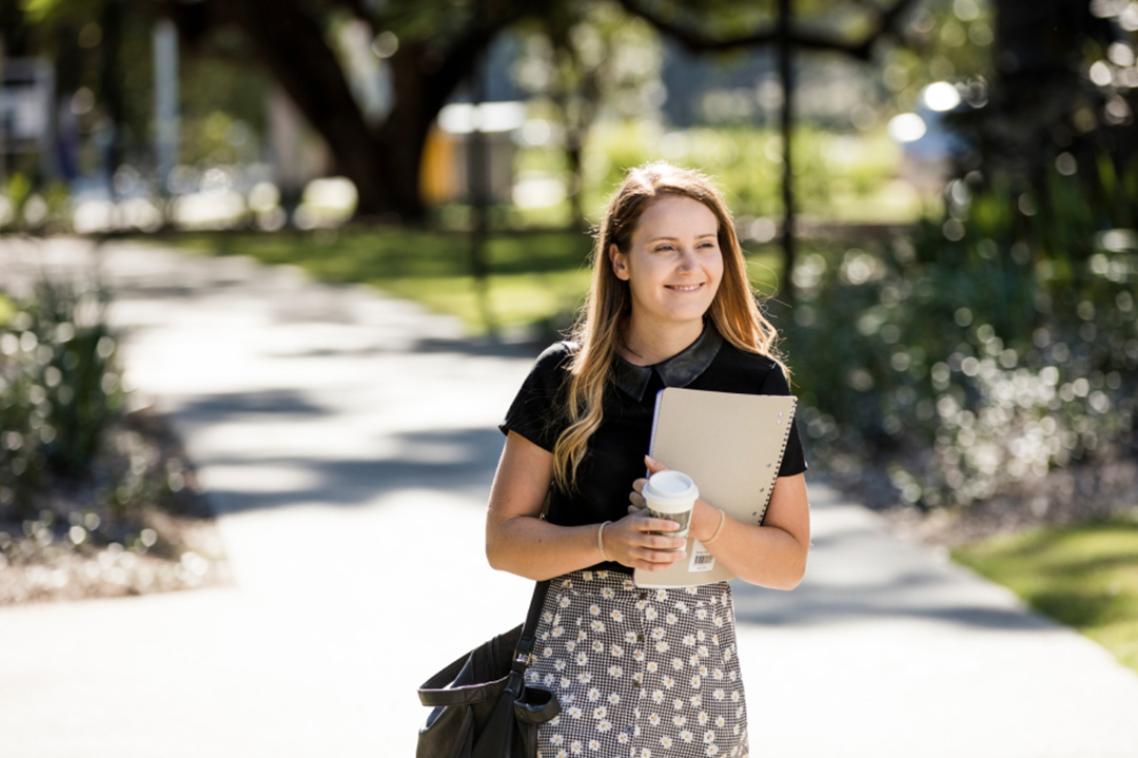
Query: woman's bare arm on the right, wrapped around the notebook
771	556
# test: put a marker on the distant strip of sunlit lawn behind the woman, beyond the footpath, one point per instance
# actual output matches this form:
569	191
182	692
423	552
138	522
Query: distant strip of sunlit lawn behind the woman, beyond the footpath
535	277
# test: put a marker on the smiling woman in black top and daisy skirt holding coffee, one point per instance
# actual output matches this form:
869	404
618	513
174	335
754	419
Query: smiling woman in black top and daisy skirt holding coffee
641	673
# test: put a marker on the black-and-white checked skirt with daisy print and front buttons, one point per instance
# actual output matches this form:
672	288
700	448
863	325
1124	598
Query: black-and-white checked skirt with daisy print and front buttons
639	673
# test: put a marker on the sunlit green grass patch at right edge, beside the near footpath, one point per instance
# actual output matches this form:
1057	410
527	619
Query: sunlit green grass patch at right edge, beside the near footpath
1085	576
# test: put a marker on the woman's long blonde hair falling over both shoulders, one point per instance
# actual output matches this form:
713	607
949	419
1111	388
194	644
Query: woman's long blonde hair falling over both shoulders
600	327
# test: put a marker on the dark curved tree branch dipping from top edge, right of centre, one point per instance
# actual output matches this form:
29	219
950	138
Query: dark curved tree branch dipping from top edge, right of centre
699	42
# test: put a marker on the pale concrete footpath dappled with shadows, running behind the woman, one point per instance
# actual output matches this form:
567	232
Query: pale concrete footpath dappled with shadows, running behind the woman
348	442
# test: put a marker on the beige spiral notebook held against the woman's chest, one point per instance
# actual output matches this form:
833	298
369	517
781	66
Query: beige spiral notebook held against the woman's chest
732	446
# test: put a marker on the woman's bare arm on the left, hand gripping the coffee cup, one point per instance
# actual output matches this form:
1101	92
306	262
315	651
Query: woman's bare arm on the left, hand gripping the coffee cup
518	541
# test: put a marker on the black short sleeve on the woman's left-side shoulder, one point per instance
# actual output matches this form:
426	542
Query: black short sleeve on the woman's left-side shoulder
538	413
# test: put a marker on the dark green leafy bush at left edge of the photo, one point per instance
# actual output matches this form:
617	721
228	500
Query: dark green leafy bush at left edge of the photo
60	392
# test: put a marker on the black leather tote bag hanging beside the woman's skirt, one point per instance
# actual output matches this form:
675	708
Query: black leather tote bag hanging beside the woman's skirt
483	708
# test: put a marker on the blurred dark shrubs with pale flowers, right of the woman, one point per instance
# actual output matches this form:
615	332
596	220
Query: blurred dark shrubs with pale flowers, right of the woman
983	352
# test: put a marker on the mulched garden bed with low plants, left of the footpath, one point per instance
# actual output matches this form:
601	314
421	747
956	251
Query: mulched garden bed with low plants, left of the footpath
160	535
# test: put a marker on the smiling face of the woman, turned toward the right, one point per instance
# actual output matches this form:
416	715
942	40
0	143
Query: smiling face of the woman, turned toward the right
674	265
